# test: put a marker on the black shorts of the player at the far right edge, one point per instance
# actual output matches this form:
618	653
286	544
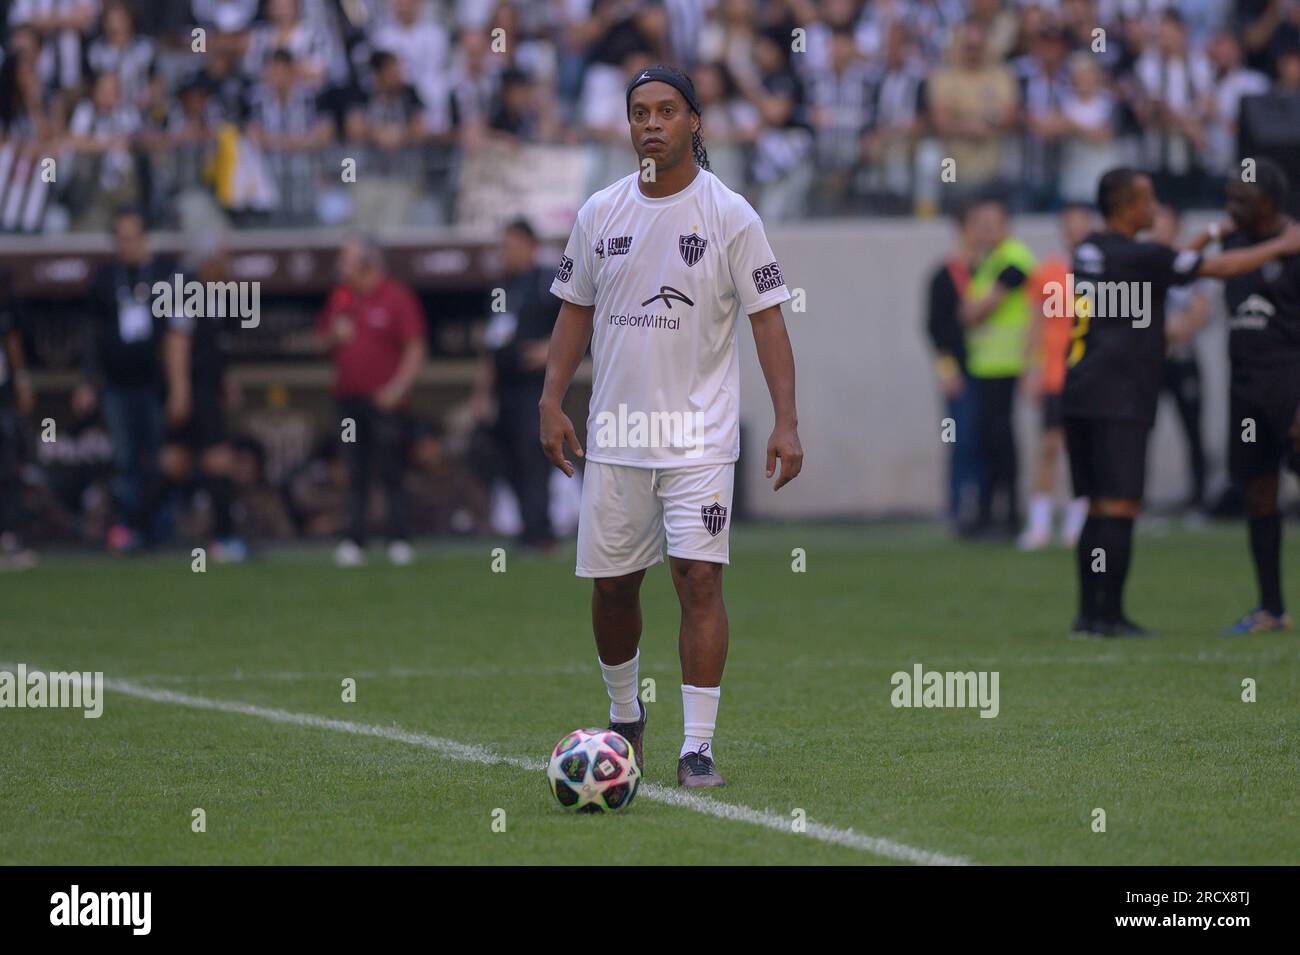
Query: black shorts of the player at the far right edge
1269	401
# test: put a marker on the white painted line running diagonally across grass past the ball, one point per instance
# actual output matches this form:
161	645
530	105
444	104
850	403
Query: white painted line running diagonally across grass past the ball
466	753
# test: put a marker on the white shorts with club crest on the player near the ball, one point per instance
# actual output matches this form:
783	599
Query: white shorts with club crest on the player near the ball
629	513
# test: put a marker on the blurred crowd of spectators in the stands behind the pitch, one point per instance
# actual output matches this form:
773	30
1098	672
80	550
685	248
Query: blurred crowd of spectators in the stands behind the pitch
242	111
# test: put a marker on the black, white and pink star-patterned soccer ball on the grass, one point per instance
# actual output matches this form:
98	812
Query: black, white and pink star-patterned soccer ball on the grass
593	771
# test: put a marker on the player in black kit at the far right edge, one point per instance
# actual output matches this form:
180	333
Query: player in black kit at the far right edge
1264	349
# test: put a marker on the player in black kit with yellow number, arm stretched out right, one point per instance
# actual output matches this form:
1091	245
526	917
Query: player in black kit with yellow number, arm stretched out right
1116	368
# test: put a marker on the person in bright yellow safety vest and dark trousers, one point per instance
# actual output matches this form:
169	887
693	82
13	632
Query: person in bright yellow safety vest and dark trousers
996	316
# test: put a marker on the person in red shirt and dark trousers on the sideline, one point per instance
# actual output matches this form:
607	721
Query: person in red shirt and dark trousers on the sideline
375	331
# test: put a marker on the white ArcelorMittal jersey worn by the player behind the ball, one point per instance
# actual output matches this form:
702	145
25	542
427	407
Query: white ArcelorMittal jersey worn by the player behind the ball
669	279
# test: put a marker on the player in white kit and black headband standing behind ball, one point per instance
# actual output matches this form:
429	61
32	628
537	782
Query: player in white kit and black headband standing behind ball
655	276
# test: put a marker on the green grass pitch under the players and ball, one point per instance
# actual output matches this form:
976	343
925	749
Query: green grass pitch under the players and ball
1152	732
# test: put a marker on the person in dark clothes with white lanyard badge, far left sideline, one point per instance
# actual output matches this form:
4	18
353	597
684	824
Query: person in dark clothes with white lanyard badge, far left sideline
124	372
